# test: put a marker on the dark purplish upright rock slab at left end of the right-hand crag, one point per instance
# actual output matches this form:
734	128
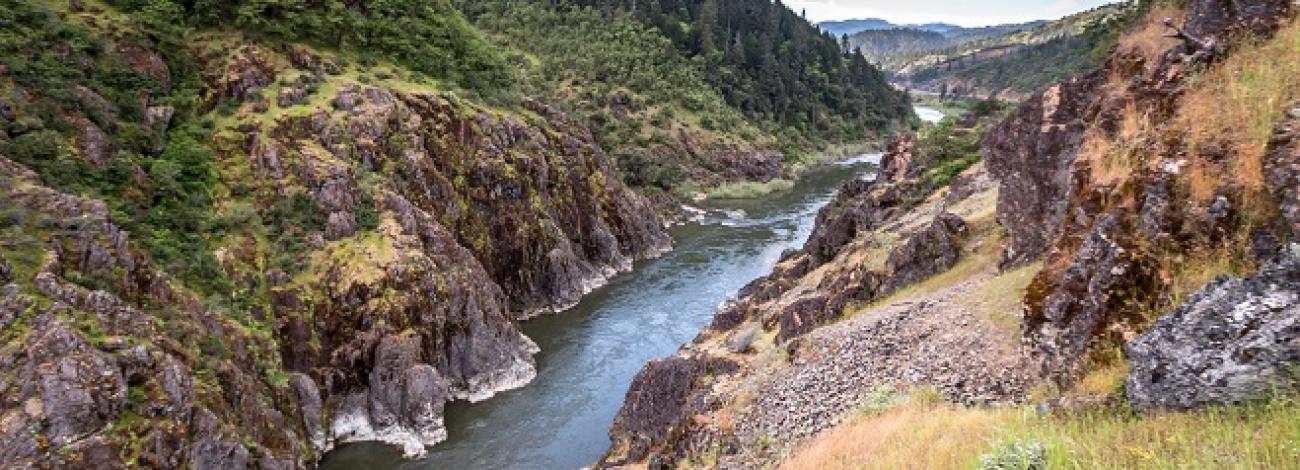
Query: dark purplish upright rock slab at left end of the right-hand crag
1032	154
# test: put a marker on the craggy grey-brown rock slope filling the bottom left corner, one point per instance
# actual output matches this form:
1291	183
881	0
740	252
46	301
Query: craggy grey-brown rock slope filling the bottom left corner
106	356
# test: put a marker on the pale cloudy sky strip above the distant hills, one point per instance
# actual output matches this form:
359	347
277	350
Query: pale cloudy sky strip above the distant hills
961	12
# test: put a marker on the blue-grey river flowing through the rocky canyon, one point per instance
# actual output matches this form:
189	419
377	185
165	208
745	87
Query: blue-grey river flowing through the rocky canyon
592	352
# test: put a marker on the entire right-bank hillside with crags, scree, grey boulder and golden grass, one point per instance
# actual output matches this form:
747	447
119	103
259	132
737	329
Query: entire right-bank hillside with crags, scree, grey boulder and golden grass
1113	286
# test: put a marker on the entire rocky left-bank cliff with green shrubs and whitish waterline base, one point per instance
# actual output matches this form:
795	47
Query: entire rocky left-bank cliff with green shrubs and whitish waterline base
374	243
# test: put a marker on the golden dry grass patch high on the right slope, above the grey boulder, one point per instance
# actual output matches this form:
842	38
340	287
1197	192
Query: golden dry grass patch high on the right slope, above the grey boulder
1236	106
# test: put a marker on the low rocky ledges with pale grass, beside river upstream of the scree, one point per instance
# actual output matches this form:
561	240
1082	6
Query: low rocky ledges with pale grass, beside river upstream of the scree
861	221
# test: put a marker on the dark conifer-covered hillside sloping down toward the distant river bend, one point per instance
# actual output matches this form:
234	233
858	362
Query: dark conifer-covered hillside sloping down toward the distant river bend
777	68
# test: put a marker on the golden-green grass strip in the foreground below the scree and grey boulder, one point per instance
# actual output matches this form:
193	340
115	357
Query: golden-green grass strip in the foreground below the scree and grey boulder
948	437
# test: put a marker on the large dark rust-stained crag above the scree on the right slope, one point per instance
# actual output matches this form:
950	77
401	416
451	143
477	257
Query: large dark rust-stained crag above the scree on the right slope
1107	240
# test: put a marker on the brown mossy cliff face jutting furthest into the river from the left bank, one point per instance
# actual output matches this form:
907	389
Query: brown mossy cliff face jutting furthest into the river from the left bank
539	206
